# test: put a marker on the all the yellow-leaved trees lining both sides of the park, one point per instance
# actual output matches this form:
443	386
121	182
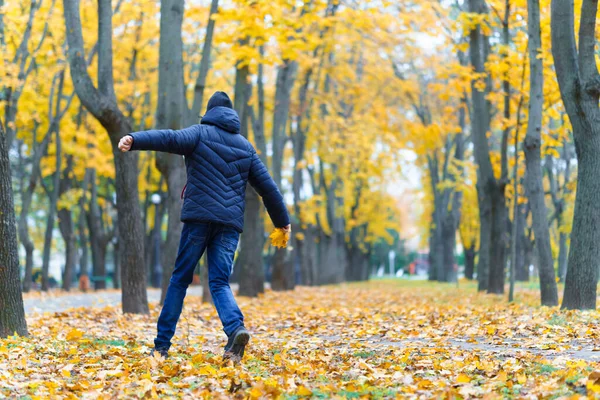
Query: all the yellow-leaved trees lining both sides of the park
329	93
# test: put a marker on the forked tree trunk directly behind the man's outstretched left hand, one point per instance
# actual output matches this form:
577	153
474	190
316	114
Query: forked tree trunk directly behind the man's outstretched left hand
102	104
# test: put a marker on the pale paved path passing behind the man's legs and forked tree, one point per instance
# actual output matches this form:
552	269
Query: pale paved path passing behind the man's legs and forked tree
50	303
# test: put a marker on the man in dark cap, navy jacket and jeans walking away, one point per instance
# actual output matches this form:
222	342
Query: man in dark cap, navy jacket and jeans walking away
219	162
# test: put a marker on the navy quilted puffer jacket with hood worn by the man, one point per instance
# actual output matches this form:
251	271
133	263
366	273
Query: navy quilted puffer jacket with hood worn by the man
219	163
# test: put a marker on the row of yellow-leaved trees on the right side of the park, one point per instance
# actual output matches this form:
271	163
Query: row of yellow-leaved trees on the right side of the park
504	111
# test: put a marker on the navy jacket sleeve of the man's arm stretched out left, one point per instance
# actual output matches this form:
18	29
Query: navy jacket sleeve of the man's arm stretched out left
181	142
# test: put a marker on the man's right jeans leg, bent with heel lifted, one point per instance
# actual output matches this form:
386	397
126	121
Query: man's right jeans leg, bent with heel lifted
220	252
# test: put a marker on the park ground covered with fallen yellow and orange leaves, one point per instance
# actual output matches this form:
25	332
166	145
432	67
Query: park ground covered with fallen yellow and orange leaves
375	340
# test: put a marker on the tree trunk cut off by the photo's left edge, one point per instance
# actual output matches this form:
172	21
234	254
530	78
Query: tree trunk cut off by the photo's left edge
12	313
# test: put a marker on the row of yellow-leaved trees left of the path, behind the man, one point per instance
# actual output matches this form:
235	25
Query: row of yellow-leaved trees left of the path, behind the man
319	113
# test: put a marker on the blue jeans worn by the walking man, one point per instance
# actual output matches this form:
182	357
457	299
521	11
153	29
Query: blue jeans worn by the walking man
220	242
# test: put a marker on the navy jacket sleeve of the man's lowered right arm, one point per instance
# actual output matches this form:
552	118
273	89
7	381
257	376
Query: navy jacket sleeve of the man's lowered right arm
265	186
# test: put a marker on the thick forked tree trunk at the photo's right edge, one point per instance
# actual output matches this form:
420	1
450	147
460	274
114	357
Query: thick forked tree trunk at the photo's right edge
579	83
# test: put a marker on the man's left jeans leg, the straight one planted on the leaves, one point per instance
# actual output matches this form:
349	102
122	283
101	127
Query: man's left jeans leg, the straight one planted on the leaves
191	247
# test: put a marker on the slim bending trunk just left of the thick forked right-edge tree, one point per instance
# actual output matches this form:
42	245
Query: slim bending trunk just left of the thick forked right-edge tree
534	176
